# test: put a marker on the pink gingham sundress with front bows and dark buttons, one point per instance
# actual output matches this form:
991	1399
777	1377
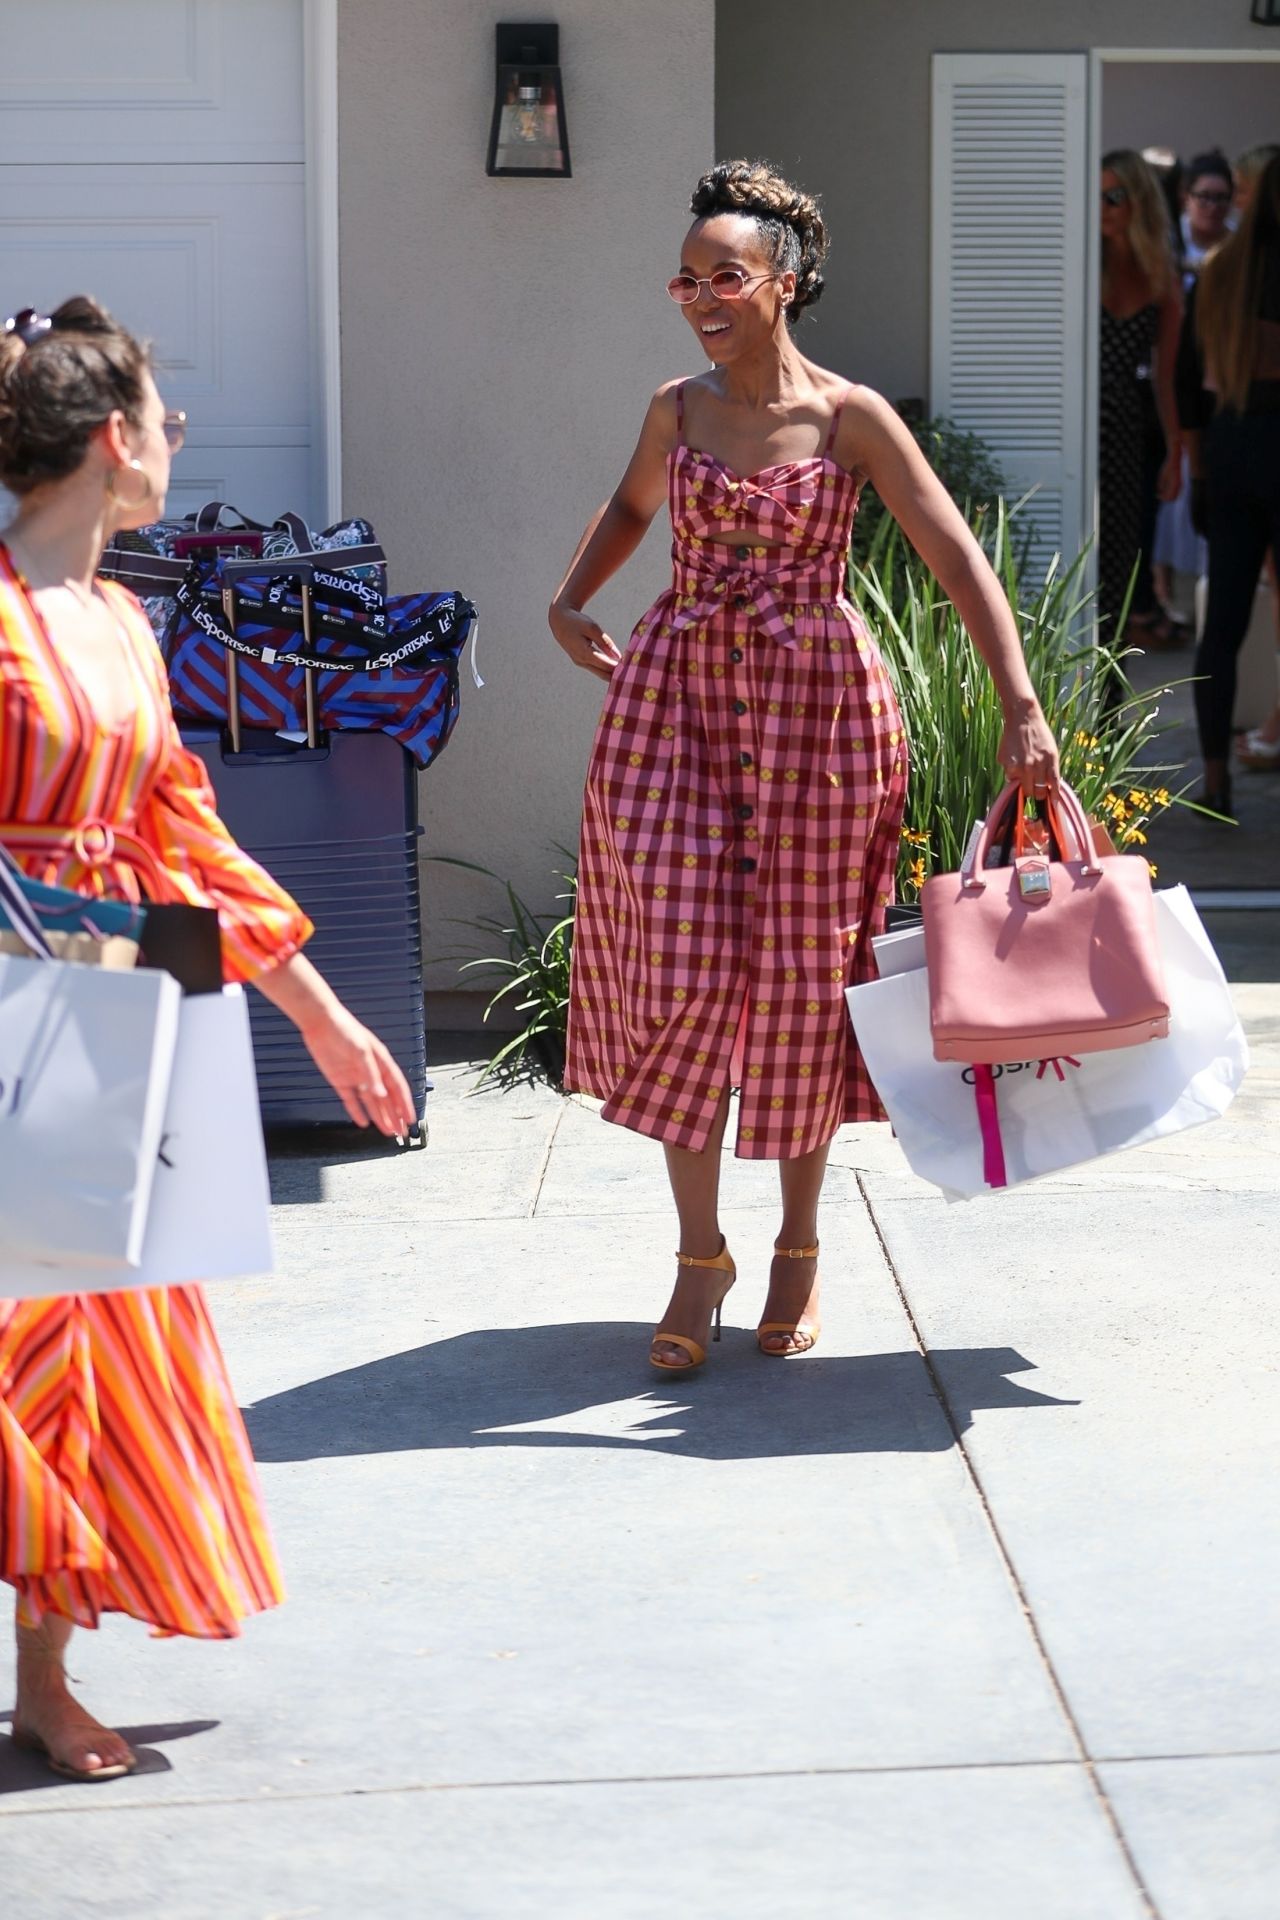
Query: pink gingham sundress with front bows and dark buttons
742	825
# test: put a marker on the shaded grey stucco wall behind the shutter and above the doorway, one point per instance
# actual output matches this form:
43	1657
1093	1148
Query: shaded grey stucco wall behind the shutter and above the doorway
840	91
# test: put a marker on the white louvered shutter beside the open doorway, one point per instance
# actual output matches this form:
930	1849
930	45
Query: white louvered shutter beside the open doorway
1010	272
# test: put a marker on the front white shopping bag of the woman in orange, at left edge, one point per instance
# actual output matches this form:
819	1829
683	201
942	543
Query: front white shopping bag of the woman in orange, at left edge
85	1065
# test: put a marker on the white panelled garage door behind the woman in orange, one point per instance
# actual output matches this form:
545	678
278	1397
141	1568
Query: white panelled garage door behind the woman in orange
154	155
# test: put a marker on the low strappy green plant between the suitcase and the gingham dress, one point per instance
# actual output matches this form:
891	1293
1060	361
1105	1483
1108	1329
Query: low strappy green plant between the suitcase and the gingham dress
536	969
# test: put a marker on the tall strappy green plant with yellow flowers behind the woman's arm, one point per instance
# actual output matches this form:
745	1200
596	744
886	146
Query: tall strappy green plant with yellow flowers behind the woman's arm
953	715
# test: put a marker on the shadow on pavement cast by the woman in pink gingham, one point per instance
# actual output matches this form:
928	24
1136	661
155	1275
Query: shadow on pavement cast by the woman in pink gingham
590	1385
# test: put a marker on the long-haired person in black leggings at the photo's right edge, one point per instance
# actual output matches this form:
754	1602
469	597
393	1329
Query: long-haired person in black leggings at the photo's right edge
1229	404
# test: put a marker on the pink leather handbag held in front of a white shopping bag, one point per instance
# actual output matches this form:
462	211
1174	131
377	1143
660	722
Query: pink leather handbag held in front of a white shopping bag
1043	957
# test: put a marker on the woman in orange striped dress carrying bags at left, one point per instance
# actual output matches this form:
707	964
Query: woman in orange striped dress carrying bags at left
126	1474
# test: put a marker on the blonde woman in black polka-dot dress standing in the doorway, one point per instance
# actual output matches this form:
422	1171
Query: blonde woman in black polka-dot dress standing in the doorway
1139	327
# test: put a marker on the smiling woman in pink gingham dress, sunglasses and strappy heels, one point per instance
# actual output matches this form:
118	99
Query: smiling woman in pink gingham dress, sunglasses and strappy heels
747	782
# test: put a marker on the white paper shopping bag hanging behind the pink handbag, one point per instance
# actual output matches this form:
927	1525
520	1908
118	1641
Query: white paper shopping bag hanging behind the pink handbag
1056	1113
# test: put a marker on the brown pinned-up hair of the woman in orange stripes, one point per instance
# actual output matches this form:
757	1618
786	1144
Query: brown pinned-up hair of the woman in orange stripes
57	393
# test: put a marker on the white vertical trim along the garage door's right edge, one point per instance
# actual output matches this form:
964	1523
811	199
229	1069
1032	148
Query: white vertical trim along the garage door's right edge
323	281
